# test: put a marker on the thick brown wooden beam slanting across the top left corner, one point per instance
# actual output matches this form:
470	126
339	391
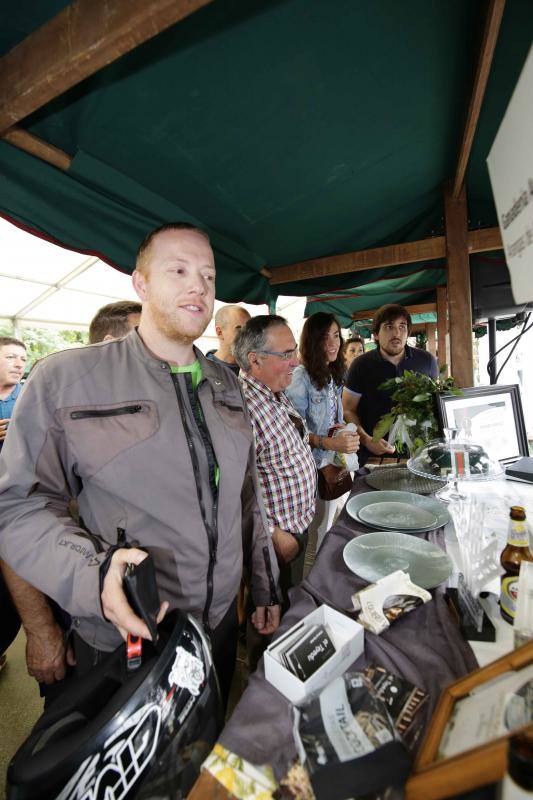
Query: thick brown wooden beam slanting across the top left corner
80	40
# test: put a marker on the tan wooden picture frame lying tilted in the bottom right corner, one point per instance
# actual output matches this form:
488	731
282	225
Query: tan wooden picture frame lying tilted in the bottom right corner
466	742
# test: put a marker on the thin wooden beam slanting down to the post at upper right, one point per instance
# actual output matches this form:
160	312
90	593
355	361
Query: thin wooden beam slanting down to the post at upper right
490	36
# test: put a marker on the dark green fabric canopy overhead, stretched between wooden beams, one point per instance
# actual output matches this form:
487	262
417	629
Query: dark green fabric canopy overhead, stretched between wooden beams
291	129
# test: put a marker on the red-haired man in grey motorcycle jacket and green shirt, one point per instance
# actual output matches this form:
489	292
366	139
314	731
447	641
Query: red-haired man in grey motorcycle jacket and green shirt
155	443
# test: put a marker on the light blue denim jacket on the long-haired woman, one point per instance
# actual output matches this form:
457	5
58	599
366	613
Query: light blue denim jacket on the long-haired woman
313	405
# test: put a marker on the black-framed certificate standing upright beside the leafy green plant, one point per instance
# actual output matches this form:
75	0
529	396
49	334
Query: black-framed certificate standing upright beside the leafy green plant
493	416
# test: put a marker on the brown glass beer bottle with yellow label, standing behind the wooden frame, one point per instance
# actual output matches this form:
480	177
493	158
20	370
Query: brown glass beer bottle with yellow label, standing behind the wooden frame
516	550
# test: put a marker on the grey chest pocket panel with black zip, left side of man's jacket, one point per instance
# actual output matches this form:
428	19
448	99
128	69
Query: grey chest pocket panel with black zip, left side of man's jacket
99	433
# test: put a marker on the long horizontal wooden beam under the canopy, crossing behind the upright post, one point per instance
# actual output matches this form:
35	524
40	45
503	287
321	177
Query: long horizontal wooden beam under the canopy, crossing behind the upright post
479	241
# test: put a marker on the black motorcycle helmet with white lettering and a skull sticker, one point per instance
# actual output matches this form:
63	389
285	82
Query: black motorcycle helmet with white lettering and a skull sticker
116	734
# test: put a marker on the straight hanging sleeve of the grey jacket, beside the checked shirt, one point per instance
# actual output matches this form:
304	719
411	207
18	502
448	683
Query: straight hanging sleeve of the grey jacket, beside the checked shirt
258	551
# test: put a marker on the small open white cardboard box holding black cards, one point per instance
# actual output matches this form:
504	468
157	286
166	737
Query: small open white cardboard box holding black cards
348	638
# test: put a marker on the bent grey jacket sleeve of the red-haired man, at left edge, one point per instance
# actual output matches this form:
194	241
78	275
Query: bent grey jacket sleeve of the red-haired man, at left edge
38	538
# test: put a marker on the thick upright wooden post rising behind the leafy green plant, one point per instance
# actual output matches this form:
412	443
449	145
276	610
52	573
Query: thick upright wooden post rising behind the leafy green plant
459	303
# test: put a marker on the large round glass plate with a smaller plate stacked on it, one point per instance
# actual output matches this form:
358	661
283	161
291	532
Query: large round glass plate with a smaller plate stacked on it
397	511
